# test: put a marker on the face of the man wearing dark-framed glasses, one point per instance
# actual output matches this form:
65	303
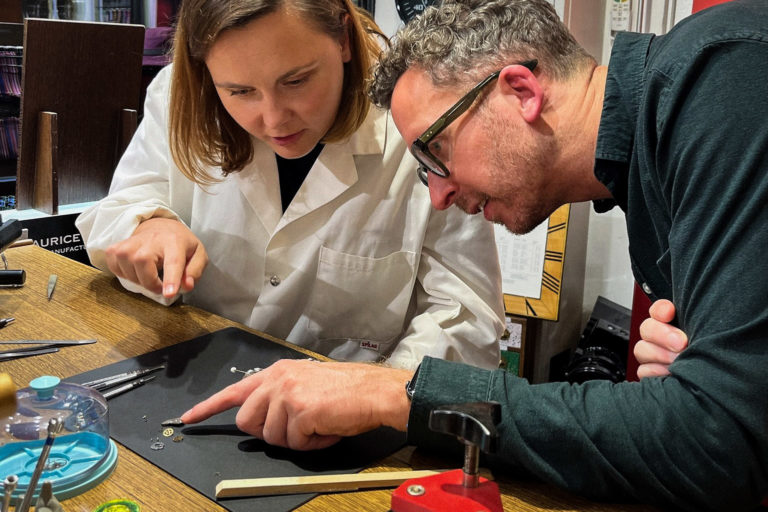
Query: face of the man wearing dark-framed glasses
495	165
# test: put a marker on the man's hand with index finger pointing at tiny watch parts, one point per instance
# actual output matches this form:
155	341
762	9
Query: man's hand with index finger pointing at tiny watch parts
308	405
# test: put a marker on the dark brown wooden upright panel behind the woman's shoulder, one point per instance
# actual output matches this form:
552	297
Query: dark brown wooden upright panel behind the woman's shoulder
86	73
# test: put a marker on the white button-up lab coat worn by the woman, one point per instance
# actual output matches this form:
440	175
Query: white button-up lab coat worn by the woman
359	267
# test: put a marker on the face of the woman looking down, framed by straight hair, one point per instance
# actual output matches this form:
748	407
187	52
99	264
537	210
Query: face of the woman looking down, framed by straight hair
280	79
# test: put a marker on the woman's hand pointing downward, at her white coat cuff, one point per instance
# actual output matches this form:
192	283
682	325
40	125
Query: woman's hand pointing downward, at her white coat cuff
159	244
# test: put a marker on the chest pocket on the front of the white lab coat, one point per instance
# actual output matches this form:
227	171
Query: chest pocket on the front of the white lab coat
360	298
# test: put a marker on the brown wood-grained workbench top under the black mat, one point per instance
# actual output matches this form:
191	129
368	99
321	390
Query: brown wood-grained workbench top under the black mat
89	304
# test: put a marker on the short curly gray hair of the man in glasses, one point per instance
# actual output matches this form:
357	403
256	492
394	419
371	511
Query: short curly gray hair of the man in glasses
460	41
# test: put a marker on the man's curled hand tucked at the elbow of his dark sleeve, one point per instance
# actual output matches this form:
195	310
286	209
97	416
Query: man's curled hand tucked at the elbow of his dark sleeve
660	343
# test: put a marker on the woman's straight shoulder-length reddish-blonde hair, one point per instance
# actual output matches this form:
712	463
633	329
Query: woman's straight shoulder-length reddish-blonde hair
202	134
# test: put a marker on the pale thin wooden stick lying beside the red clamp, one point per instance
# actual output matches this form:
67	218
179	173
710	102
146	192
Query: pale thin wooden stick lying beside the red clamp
318	483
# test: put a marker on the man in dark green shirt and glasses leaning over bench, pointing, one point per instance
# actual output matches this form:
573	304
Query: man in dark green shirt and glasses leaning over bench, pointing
675	132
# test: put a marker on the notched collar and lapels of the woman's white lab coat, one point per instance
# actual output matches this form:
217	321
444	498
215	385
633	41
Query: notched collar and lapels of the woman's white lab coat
333	173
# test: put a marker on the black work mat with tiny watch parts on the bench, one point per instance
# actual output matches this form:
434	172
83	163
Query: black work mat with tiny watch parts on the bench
215	449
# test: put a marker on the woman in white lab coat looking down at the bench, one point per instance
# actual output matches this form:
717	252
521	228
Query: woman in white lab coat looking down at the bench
270	170
